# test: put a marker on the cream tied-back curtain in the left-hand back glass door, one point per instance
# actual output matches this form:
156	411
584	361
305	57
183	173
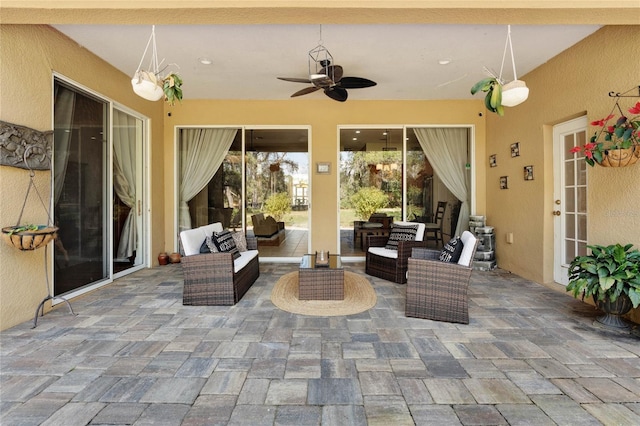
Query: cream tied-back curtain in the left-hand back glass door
202	151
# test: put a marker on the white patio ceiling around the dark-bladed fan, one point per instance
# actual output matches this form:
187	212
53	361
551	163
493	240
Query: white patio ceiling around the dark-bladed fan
401	58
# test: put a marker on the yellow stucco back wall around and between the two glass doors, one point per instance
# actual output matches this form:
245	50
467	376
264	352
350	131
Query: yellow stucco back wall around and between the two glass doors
324	116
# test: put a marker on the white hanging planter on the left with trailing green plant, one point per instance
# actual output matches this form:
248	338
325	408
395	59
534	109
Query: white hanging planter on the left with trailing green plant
149	84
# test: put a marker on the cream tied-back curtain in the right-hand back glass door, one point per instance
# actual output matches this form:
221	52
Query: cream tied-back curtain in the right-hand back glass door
446	150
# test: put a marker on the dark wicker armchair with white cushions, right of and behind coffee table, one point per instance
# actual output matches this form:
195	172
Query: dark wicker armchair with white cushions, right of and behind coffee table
390	264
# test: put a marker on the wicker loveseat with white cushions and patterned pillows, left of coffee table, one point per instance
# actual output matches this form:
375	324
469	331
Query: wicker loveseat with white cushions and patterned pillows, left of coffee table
216	278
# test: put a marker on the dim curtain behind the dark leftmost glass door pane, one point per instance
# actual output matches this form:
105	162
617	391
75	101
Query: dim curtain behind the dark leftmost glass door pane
63	109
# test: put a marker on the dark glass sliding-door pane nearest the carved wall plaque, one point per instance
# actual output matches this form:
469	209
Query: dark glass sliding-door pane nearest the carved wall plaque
80	207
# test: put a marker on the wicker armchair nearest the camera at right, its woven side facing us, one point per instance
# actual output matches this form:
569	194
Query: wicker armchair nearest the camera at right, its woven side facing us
438	290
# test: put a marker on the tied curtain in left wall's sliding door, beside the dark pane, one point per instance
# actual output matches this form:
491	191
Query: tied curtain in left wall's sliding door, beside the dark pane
124	178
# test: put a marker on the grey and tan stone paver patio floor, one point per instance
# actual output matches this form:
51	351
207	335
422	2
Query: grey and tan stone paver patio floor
135	355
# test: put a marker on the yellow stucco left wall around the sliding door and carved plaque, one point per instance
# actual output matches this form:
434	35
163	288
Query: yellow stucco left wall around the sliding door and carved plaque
29	54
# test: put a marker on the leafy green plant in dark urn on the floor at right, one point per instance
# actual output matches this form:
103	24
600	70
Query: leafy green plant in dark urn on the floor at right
611	275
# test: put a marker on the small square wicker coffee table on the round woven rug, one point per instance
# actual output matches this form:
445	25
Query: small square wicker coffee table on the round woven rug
320	282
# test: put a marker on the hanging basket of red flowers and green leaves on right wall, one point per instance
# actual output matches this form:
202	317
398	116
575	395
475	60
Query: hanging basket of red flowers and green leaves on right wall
614	145
